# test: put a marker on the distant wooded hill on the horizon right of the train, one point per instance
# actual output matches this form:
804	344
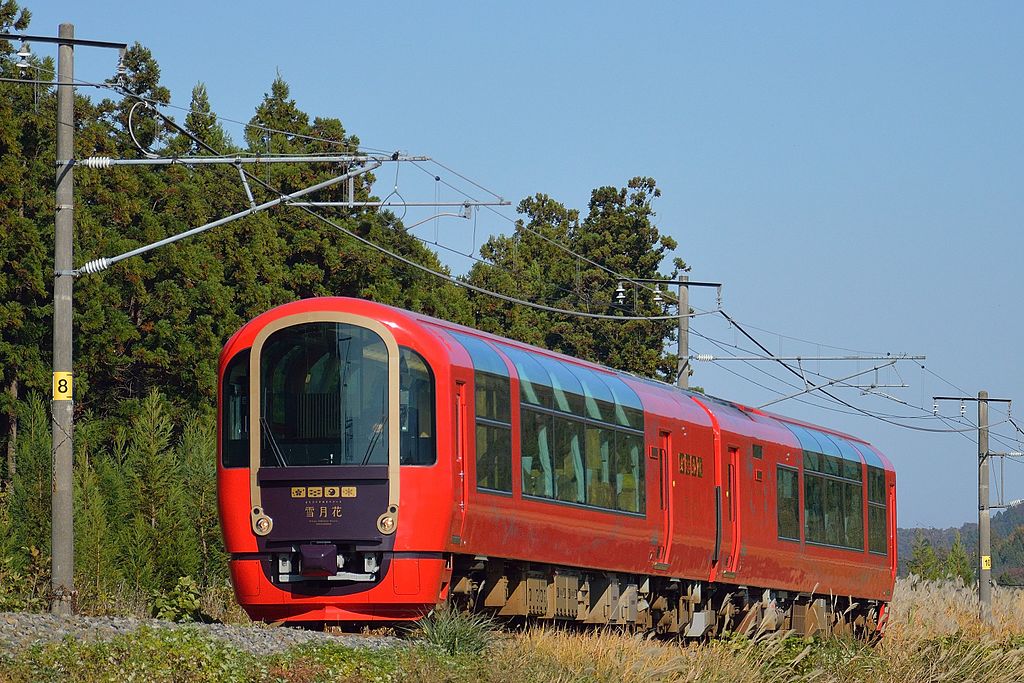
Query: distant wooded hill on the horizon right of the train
1008	544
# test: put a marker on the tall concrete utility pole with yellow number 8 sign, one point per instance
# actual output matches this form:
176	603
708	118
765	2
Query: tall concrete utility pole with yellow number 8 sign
63	535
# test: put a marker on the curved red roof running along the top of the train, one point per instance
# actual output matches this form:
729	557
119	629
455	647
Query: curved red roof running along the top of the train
731	415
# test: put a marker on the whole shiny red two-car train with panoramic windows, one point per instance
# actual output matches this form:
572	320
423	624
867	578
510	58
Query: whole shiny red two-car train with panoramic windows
375	462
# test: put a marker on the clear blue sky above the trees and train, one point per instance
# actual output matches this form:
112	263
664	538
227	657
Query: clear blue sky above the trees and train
852	174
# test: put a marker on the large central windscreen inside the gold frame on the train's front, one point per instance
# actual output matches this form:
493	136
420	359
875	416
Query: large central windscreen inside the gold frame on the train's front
324	397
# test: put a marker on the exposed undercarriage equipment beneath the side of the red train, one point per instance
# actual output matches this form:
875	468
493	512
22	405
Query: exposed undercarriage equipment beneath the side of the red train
671	608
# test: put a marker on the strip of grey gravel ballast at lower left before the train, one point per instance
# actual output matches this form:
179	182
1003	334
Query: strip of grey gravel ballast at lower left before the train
23	630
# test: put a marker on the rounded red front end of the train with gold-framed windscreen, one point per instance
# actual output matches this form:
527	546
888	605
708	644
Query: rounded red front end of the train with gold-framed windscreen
328	415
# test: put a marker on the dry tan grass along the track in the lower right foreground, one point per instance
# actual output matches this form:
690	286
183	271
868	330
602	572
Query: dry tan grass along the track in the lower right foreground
934	634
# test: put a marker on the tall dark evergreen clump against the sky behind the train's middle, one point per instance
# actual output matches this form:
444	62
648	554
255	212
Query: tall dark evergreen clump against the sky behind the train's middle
618	233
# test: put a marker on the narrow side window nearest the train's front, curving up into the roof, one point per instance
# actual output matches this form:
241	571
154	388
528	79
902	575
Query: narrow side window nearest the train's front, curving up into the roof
492	391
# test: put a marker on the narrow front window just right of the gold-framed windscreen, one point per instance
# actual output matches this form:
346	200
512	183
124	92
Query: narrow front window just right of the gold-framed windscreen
416	410
